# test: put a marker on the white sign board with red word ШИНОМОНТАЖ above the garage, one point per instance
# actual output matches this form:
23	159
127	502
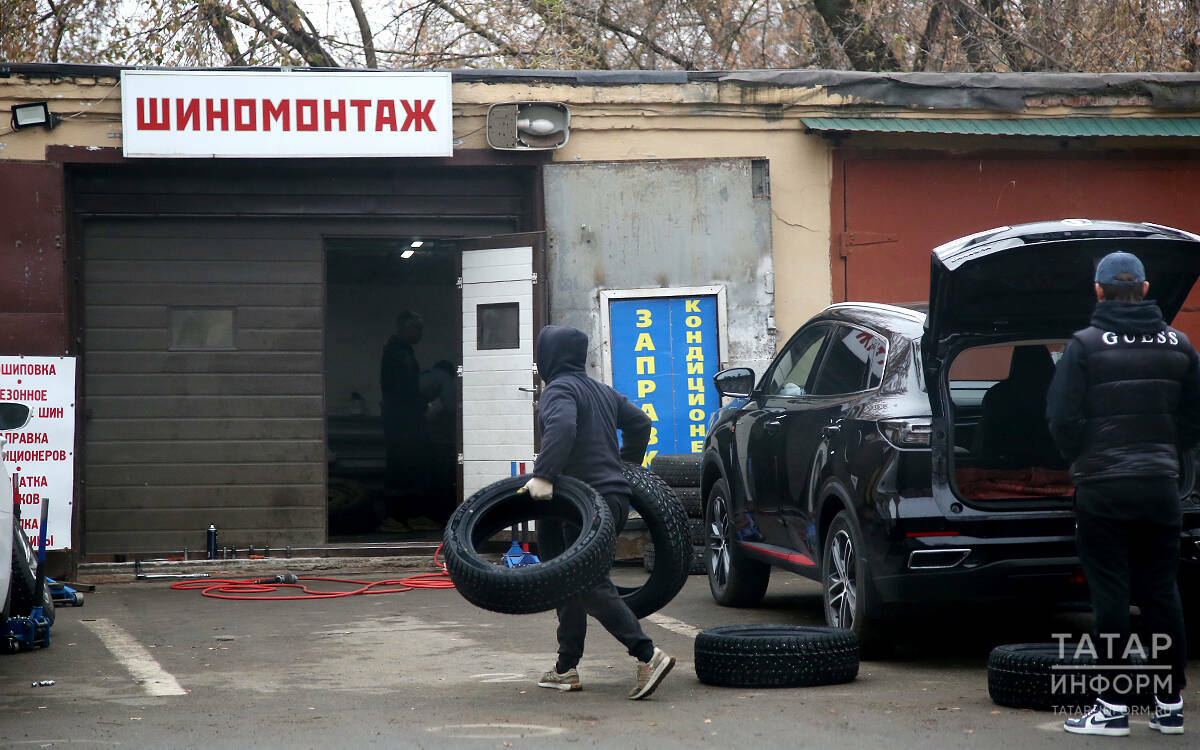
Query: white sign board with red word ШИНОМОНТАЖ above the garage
271	115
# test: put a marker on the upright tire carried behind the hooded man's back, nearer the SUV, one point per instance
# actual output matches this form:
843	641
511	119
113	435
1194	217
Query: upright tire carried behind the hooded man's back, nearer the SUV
669	555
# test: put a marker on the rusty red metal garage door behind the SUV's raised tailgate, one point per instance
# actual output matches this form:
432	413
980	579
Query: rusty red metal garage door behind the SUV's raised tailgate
892	211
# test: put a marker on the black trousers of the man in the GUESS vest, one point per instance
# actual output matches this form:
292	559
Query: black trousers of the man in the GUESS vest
1133	561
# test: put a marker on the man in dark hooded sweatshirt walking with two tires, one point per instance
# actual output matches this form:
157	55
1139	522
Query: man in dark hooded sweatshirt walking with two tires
580	419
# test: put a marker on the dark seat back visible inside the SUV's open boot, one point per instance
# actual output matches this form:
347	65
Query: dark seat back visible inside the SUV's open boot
1012	422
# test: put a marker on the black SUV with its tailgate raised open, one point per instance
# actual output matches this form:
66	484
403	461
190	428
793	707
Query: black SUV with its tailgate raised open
899	454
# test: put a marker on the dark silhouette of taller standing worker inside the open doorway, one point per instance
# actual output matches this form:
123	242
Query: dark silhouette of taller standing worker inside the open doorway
404	415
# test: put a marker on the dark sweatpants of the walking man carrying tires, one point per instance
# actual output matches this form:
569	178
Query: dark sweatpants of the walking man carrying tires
602	603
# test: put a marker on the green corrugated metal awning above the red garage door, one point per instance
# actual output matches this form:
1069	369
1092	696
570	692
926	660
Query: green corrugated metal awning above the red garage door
1060	128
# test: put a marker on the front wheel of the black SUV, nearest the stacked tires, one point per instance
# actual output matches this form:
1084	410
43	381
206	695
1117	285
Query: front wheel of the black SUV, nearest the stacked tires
734	578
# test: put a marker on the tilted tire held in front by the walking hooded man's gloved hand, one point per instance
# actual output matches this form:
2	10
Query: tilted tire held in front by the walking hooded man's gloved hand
548	585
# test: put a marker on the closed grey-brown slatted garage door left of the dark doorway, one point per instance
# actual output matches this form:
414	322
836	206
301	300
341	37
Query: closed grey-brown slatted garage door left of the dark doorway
203	381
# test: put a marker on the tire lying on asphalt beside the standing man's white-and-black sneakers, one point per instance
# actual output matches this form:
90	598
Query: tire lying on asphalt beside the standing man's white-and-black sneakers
1023	676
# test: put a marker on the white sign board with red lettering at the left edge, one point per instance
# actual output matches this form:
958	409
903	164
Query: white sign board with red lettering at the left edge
43	454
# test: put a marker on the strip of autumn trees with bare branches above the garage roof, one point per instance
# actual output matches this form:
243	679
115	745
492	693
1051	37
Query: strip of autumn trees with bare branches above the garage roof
866	35
